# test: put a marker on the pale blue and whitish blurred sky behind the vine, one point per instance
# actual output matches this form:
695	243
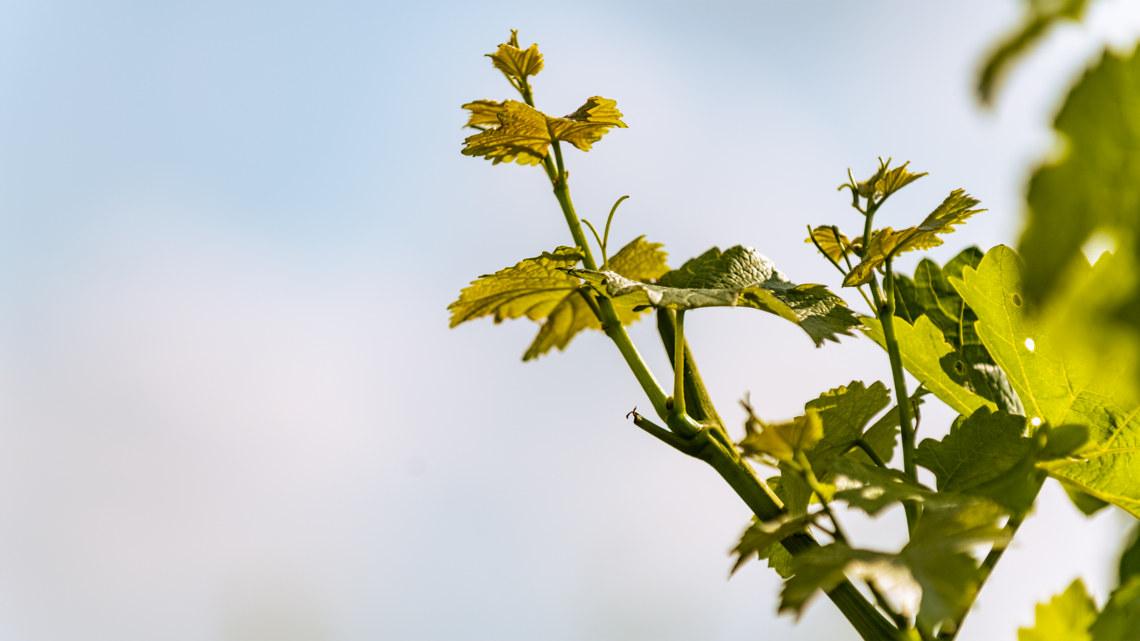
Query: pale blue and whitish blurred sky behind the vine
231	408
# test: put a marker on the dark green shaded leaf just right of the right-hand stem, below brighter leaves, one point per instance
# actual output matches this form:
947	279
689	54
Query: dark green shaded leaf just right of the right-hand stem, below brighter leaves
986	456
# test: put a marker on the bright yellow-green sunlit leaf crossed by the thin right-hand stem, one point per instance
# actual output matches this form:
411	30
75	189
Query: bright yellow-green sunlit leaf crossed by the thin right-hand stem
924	352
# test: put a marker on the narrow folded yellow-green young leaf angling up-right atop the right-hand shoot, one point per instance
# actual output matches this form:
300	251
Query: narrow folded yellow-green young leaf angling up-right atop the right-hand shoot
887	244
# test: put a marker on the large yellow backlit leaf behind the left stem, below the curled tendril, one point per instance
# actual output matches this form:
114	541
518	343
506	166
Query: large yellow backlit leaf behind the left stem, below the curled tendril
543	291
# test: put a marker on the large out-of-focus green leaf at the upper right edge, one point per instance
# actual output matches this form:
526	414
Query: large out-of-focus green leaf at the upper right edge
1096	184
